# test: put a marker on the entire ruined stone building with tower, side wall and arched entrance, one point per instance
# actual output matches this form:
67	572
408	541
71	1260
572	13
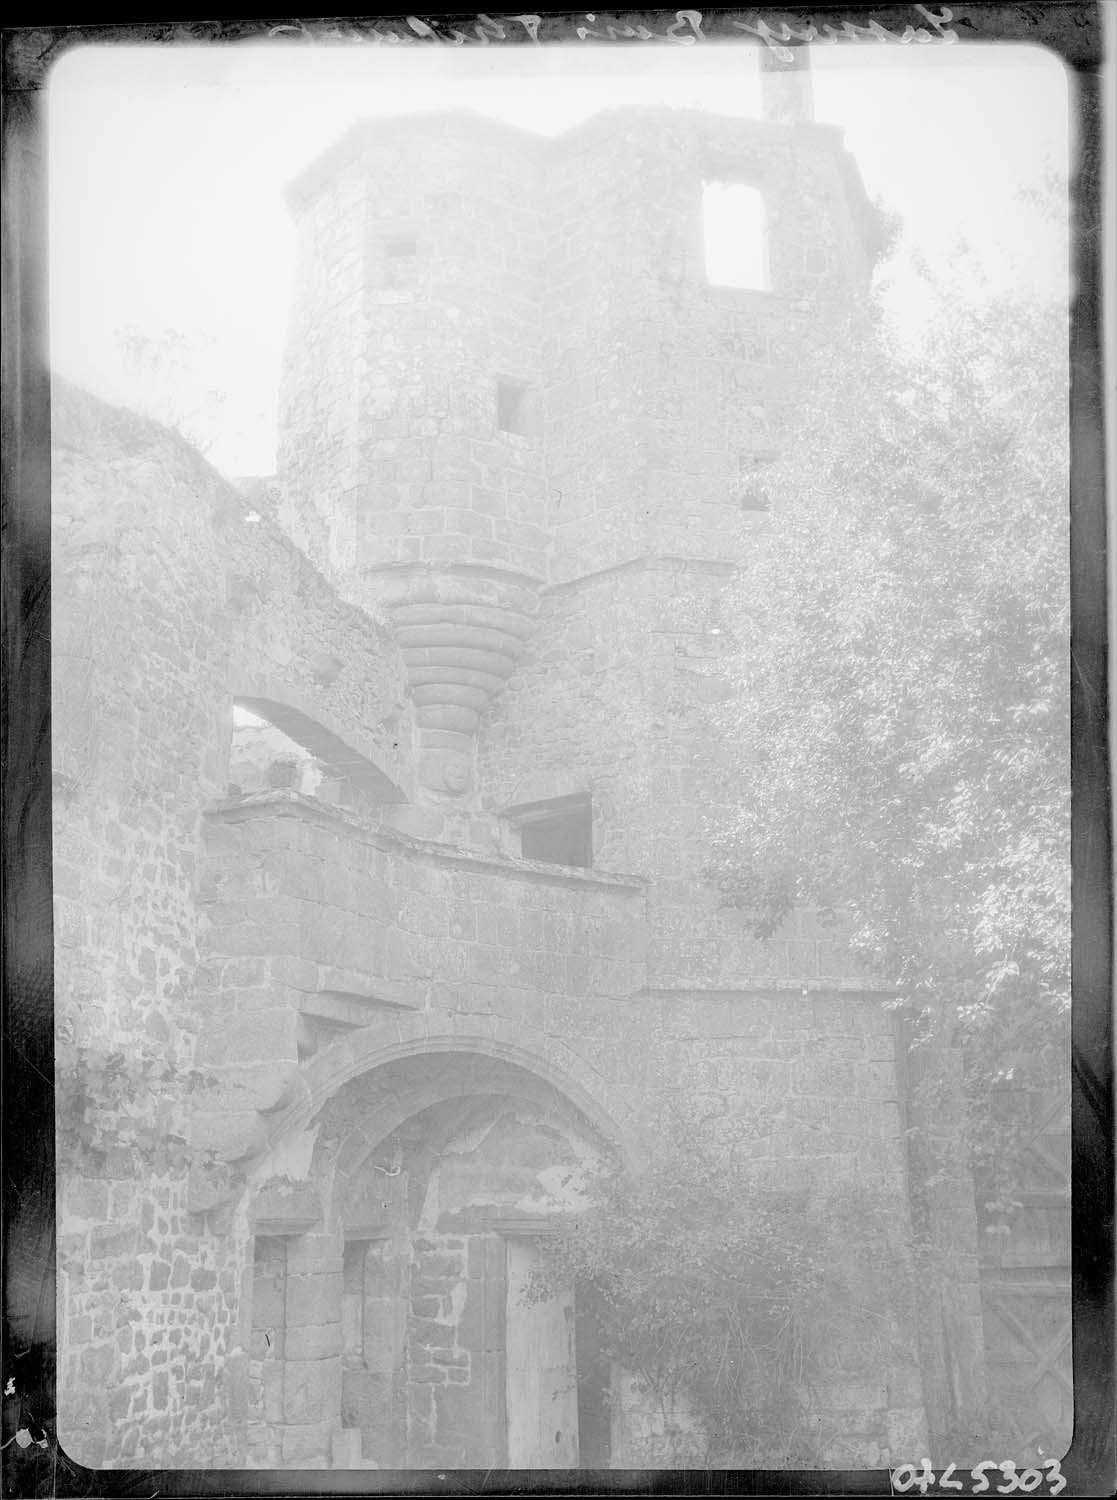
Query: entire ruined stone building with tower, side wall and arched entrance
379	815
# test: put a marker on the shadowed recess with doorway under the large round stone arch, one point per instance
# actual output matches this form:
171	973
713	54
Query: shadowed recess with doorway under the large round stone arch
446	1172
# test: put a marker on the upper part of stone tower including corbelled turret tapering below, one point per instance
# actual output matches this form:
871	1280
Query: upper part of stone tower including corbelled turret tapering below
508	368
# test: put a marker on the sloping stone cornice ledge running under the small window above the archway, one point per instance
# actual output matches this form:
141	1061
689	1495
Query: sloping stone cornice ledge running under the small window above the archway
308	809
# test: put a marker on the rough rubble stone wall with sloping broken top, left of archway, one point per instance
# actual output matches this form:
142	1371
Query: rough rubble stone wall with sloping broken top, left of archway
155	637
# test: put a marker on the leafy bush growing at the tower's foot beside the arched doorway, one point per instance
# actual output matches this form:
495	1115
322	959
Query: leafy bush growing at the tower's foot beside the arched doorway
729	1300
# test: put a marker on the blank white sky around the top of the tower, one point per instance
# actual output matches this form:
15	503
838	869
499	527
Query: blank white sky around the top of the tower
169	164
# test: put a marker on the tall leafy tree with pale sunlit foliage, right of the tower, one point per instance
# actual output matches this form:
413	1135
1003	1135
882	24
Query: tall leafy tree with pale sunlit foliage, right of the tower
902	718
